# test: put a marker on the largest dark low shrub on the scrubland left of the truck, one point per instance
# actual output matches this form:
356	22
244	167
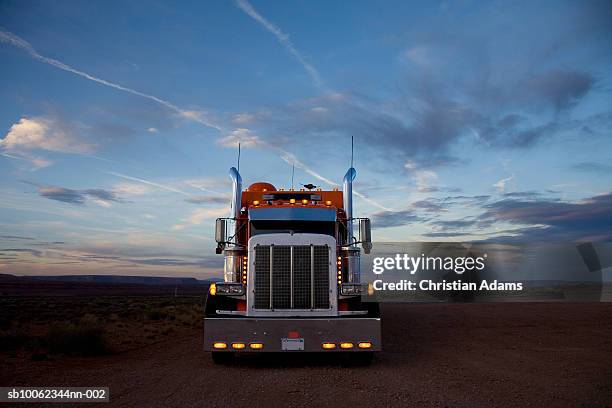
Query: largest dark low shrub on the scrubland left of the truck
86	337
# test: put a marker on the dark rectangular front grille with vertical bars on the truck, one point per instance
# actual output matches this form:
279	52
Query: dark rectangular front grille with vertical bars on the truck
291	277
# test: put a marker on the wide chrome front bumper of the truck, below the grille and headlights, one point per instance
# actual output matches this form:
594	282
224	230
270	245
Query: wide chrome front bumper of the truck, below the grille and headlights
271	332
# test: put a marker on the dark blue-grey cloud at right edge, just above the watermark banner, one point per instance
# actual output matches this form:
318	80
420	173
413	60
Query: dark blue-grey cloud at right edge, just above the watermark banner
586	220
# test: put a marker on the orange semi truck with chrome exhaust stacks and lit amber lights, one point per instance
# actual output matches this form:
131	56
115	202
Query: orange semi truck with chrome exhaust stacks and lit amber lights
291	276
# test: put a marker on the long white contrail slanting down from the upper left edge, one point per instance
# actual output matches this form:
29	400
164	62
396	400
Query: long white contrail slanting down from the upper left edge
14	40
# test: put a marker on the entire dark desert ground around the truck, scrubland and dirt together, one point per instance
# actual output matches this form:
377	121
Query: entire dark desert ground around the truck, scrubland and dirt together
146	346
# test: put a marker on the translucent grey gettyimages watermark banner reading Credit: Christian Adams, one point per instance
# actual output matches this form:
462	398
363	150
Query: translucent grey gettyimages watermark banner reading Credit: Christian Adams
401	271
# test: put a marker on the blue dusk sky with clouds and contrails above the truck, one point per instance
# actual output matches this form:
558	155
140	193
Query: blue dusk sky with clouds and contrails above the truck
472	121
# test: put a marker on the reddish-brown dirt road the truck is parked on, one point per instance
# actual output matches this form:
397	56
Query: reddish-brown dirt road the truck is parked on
551	354
